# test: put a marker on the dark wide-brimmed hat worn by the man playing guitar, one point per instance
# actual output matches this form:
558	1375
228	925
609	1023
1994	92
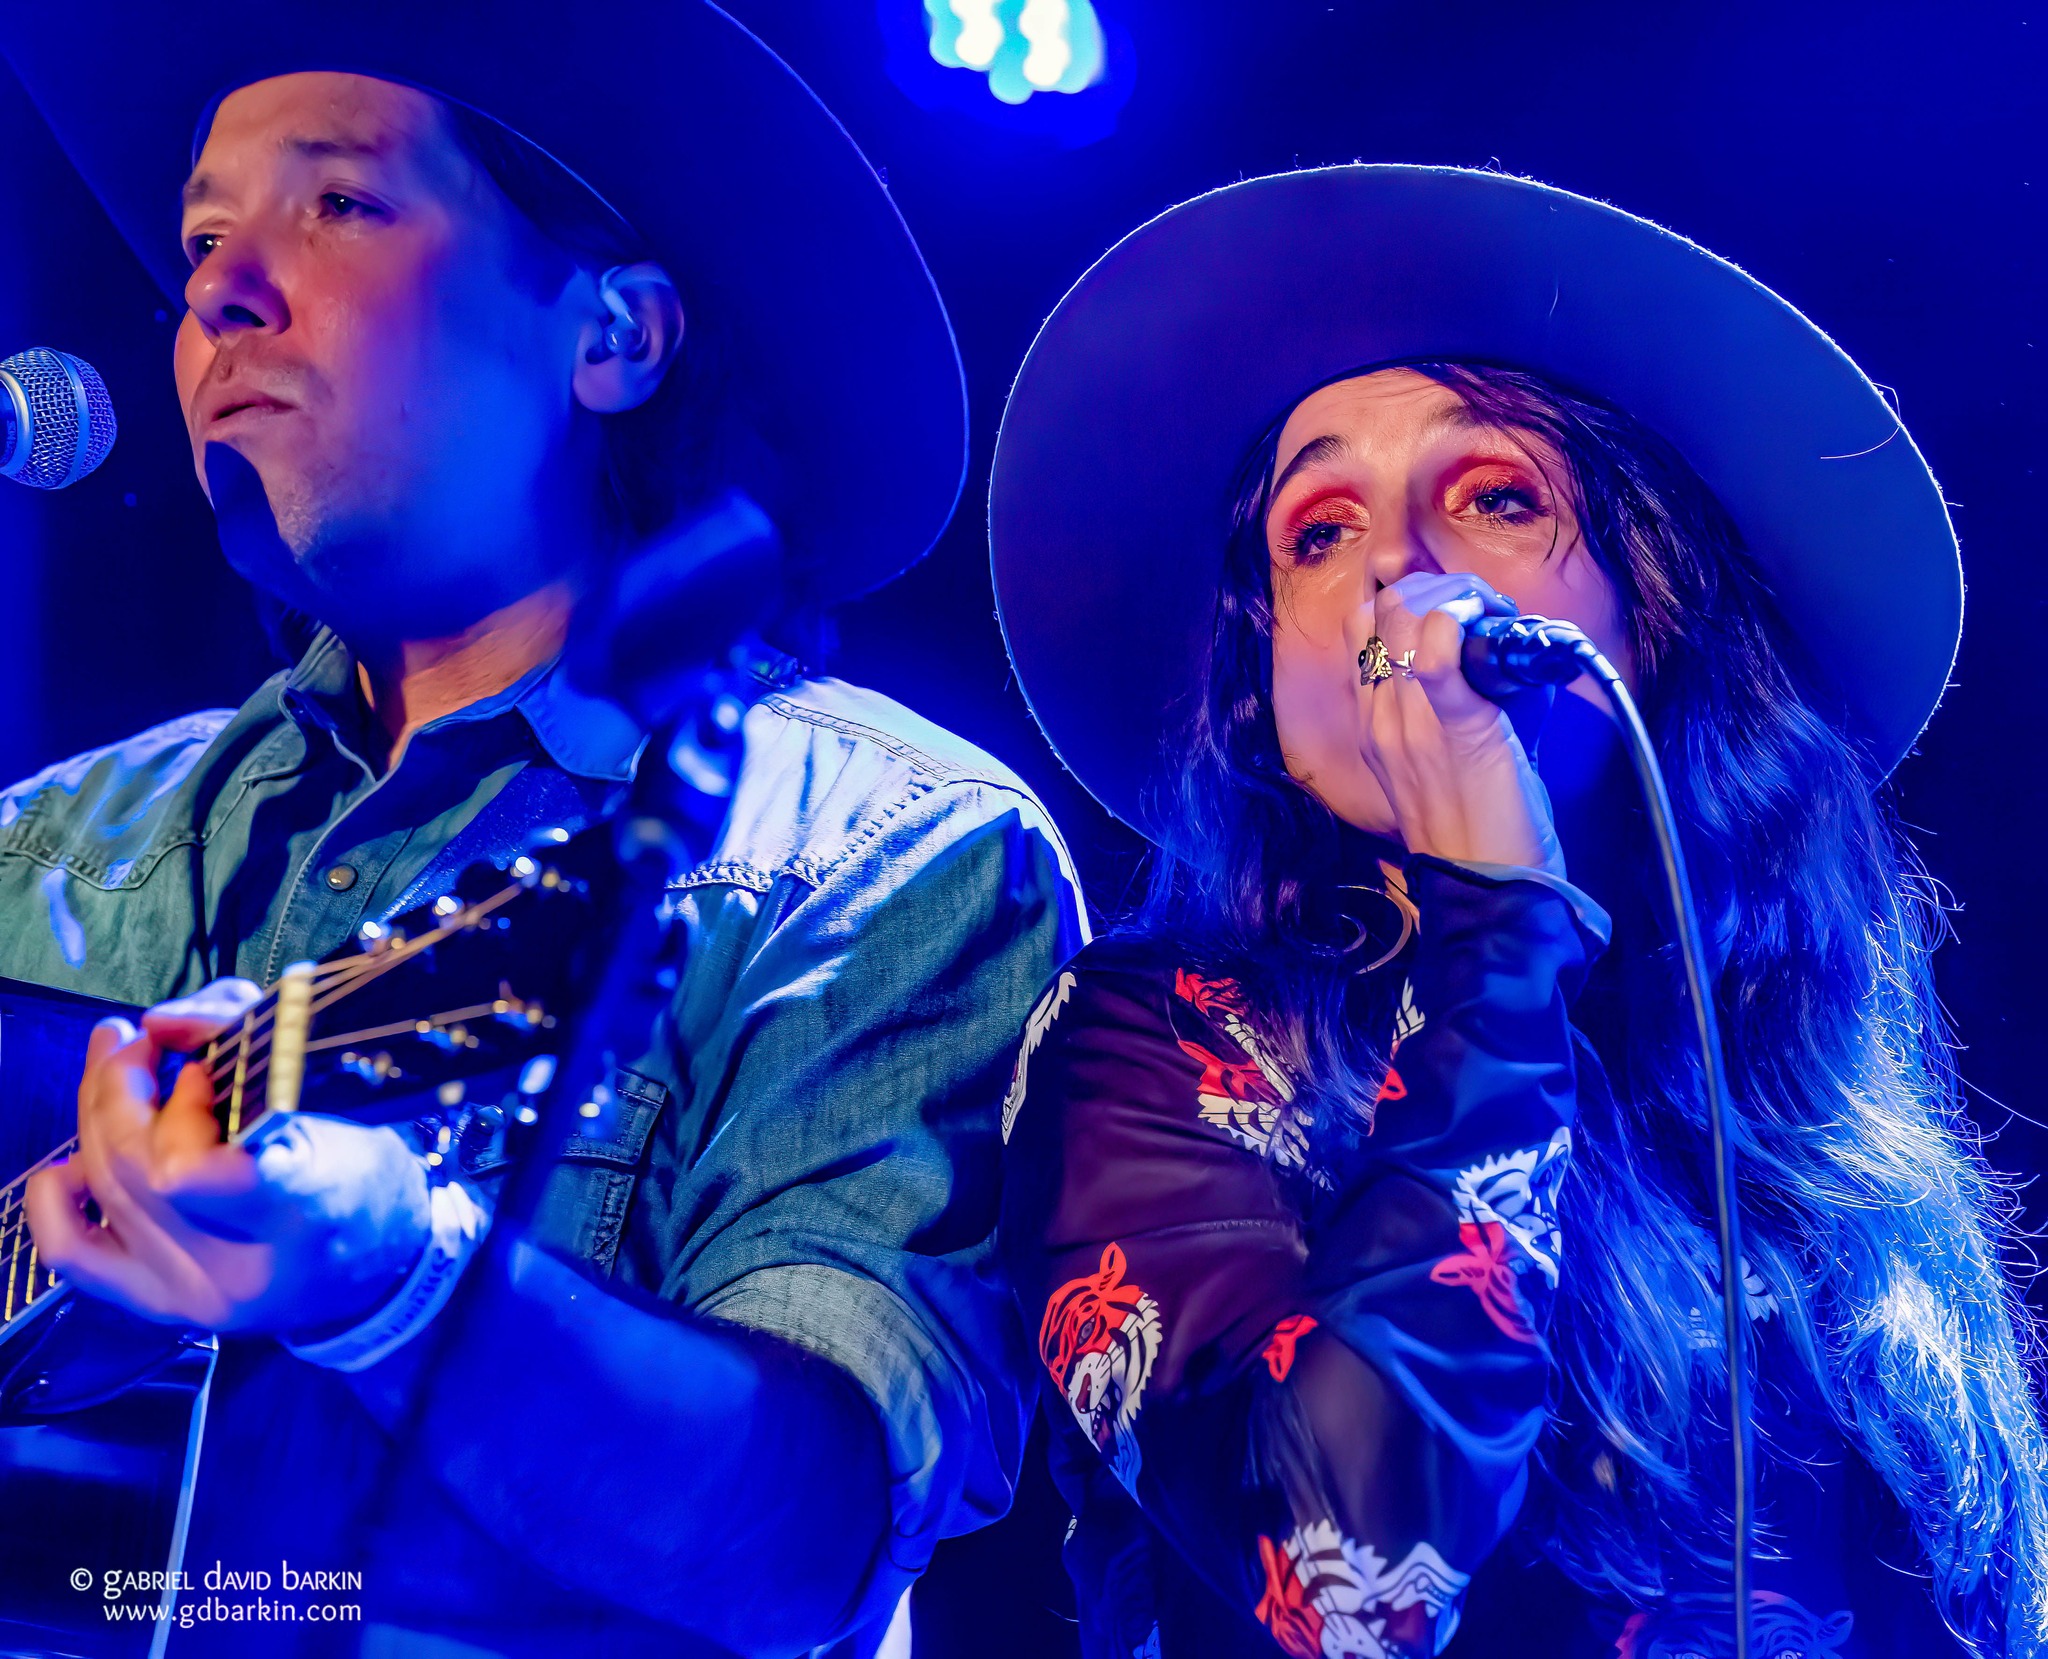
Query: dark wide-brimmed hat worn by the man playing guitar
835	339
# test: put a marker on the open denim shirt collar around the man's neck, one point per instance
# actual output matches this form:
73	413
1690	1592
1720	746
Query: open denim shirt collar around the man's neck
585	736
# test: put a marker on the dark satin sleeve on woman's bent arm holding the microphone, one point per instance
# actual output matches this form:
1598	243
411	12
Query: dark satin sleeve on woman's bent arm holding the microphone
1316	1361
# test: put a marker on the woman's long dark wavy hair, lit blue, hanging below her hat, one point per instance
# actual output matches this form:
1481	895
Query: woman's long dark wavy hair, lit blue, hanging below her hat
1871	1216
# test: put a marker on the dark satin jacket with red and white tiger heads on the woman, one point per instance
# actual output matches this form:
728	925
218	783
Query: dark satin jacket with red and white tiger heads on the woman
1295	1373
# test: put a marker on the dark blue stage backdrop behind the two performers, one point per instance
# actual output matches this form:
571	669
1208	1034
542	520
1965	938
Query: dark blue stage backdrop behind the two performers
1881	165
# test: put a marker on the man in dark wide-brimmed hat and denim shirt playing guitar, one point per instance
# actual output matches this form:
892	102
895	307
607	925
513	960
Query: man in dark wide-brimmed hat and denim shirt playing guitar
468	310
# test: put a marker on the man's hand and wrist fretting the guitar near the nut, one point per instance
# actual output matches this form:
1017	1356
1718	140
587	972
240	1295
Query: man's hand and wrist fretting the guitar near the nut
310	1228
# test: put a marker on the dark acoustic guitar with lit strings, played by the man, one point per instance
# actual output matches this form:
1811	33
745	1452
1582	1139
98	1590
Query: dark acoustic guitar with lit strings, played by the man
435	1023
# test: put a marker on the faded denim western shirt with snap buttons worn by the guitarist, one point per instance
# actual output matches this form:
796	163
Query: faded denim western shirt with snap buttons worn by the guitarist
812	1146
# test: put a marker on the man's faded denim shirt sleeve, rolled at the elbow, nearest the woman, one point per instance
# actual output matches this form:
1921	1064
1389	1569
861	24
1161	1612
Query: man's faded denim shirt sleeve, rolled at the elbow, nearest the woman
845	1054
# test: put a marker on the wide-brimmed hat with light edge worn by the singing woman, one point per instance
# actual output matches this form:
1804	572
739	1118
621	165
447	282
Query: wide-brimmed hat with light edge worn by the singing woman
1179	351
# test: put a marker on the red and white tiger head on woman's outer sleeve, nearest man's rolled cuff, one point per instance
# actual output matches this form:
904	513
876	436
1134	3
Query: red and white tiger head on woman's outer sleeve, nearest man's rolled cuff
1101	1341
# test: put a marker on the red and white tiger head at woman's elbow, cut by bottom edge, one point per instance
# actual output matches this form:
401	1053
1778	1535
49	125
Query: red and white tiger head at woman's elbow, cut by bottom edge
1332	1599
